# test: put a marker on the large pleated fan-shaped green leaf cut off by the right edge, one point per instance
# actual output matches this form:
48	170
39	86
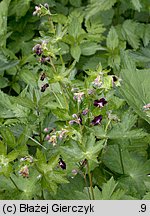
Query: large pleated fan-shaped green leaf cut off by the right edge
135	88
